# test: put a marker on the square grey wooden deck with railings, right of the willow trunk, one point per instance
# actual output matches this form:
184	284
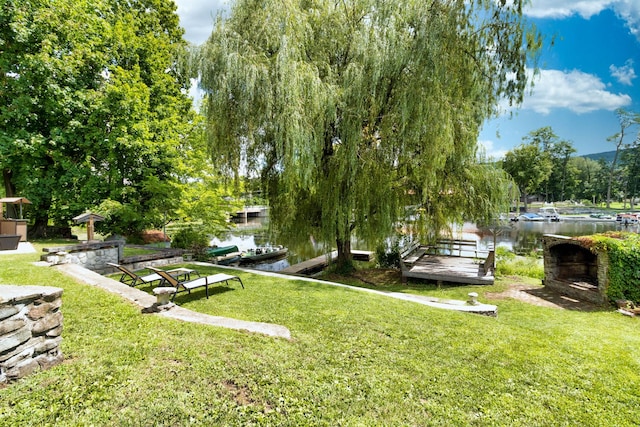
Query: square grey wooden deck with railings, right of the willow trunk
422	263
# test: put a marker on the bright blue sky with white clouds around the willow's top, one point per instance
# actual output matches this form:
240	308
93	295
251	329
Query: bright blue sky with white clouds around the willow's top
591	69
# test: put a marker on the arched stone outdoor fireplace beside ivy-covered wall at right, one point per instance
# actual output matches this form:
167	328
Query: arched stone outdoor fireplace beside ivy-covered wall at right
572	269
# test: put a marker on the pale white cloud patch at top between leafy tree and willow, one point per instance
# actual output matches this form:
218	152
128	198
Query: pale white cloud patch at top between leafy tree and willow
197	17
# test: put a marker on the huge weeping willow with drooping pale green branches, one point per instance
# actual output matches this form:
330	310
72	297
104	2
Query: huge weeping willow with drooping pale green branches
351	110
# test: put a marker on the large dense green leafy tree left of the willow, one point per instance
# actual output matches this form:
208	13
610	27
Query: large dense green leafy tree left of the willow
93	108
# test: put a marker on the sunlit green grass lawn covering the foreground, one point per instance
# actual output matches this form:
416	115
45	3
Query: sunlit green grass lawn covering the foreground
355	359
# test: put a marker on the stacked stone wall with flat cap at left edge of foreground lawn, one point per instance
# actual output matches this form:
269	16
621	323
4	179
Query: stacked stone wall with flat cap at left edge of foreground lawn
30	330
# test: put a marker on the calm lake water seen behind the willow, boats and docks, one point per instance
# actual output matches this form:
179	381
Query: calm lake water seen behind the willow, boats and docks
521	237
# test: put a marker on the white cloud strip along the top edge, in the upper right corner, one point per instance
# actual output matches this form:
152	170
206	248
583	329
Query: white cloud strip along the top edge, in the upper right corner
627	10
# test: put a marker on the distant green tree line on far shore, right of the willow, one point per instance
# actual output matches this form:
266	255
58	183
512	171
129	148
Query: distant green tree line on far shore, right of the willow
543	165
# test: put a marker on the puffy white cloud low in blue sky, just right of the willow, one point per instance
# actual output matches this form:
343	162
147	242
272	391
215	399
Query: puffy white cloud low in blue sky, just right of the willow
574	90
